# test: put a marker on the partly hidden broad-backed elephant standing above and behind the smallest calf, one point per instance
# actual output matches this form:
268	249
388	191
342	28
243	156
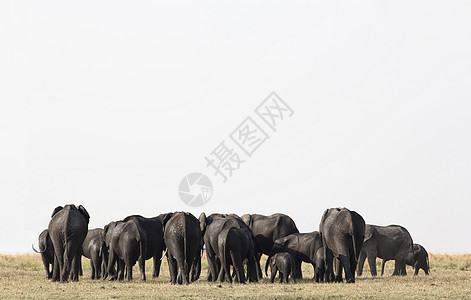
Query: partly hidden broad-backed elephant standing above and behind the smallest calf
266	230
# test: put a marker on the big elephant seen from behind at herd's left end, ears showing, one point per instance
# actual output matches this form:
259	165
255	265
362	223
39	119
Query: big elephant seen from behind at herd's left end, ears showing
68	228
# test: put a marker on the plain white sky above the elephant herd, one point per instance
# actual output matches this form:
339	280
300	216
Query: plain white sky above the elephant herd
110	104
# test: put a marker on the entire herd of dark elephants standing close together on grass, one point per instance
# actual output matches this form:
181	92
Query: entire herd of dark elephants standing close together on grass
341	245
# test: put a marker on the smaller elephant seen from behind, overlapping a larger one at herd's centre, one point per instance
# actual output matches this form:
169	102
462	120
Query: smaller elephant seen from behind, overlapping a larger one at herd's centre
236	245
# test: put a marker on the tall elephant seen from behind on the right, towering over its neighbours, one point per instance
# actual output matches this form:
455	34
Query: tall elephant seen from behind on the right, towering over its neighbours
342	234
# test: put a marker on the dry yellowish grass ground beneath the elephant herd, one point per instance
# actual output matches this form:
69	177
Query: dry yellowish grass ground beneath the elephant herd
24	277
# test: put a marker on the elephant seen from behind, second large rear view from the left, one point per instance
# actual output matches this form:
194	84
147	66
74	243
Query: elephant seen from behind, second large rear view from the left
128	245
